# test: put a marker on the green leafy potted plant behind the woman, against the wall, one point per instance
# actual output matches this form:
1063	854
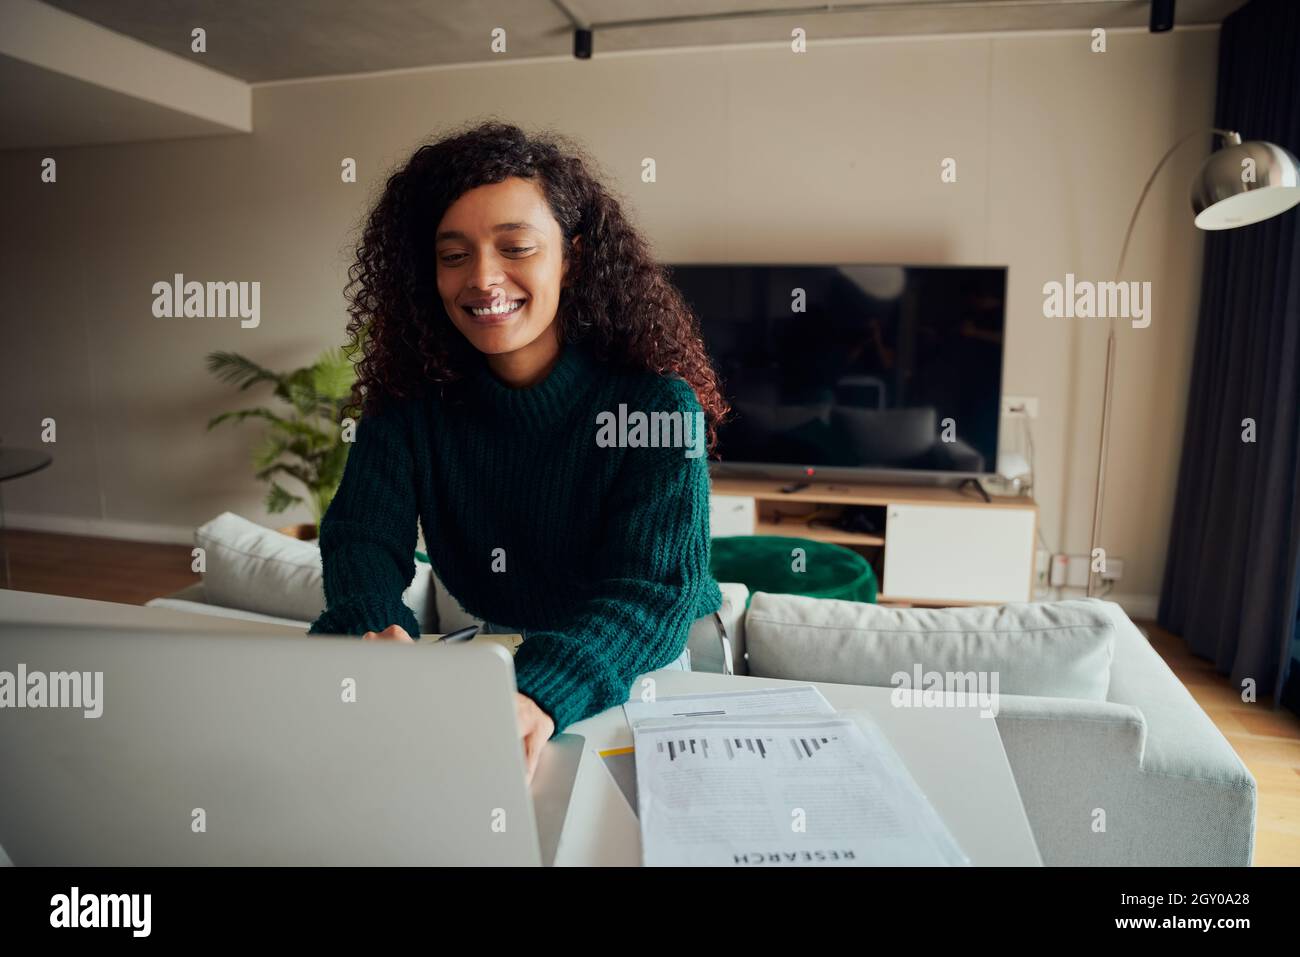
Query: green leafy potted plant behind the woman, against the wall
306	443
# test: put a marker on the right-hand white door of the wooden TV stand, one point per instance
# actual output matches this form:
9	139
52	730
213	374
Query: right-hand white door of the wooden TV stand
956	553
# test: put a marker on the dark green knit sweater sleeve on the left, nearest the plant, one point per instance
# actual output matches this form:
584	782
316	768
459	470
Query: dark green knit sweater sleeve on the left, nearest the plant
369	535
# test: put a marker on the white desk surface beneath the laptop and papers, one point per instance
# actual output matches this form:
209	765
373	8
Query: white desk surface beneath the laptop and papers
954	754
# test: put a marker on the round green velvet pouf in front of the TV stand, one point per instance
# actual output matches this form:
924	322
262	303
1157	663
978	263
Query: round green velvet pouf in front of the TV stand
769	564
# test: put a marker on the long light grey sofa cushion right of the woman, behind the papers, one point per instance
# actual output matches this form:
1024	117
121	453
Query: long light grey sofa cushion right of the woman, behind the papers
1047	649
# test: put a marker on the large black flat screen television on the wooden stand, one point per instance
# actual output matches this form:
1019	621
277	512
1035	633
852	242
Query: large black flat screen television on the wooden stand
855	373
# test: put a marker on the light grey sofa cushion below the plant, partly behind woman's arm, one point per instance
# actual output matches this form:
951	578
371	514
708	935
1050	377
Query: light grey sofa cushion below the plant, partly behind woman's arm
257	569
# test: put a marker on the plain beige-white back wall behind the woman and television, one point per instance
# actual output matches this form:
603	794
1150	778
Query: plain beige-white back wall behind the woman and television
762	157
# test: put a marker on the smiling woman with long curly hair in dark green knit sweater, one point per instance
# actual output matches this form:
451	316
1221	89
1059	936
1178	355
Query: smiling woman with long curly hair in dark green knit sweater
505	306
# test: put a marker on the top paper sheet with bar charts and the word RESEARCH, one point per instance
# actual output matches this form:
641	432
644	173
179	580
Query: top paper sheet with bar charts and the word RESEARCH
710	790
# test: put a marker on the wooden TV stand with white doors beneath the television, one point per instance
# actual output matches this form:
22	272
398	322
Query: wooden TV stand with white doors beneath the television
934	545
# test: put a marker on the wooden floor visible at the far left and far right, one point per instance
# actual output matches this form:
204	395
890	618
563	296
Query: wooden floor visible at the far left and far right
1267	741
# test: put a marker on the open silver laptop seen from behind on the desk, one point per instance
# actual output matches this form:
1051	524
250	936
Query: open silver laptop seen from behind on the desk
235	750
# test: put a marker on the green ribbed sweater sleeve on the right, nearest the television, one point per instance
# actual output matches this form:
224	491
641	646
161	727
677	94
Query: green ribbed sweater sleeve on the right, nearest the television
655	581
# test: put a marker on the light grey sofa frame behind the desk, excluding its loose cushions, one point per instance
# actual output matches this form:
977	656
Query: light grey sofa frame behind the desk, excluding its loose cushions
1172	789
